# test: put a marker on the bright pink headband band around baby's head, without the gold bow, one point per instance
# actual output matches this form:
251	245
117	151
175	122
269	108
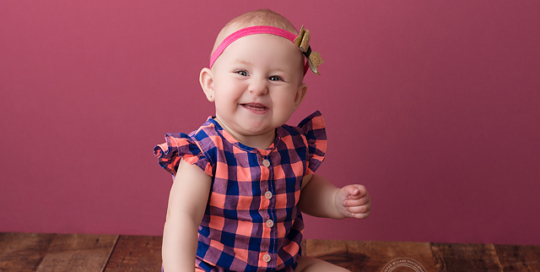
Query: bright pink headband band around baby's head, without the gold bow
250	31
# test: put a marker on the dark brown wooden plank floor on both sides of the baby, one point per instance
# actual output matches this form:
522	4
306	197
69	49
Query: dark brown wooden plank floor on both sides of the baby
75	252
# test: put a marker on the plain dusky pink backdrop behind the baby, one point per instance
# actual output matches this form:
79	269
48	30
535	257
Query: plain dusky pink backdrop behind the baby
433	105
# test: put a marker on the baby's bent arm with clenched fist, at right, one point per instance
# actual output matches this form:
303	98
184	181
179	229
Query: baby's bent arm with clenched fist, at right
322	199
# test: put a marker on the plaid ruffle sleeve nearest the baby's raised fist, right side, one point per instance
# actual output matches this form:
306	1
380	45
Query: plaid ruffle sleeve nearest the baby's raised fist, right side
314	129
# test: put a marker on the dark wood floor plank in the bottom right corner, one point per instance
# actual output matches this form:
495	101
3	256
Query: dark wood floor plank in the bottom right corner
518	258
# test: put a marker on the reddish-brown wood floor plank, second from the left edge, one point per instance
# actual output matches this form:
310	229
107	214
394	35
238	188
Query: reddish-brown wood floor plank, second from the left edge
78	252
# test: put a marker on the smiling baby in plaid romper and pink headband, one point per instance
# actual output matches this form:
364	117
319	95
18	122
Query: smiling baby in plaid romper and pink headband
242	179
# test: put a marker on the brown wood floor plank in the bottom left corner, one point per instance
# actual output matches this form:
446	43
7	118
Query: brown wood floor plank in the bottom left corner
23	251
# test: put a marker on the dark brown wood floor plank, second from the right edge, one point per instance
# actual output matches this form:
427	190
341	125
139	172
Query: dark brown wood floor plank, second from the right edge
465	257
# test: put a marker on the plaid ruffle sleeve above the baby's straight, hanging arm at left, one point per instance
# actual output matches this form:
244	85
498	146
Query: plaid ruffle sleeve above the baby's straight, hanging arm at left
181	146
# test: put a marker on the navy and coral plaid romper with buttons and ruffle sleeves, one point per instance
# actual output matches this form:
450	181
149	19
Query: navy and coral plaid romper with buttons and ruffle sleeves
251	221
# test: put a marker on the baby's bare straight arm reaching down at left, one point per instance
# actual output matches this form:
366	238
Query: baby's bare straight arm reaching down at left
187	203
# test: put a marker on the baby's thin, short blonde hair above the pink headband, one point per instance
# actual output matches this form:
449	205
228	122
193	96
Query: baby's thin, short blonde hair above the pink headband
254	18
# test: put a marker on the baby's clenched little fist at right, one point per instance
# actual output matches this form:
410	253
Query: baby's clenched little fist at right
353	201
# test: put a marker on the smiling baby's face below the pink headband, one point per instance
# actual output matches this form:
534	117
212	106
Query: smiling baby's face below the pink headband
257	84
